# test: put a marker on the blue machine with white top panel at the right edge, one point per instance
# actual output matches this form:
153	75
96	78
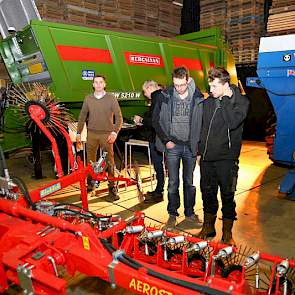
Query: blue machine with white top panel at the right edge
276	74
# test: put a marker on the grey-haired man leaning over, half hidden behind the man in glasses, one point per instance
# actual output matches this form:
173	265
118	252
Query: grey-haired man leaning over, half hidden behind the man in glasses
152	91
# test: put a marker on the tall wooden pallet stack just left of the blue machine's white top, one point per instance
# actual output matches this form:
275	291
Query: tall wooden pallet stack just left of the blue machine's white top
244	27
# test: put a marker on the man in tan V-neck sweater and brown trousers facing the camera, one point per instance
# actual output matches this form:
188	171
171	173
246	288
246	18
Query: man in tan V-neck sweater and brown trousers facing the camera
104	123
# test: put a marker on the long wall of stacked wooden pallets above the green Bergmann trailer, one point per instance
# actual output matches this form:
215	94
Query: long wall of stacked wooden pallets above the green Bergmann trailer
157	17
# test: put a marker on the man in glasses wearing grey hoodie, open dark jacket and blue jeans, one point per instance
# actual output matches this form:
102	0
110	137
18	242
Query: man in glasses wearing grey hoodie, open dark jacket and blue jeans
177	119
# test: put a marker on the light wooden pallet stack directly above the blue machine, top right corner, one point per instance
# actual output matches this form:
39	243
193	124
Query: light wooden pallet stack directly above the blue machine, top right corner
281	20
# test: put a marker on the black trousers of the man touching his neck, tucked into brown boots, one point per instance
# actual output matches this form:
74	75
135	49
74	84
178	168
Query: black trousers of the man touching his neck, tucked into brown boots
223	174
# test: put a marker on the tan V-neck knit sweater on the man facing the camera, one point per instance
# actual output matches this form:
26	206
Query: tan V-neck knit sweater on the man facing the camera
101	114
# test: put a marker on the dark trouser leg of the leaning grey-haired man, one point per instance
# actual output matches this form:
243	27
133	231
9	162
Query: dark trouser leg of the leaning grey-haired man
157	159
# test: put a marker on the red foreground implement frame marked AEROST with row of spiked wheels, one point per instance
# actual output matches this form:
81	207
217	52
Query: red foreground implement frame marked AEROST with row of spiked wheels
39	245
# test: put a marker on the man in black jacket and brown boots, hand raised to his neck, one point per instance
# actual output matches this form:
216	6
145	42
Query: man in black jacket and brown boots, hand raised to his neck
223	116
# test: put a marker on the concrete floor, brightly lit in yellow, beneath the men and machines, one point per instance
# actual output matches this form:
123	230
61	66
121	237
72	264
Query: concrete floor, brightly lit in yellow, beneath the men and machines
265	220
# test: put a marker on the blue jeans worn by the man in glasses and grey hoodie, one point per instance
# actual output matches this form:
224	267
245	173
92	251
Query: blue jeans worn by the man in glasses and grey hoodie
173	157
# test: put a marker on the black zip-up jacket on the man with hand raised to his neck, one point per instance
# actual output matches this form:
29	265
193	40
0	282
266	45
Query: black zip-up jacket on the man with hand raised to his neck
222	126
